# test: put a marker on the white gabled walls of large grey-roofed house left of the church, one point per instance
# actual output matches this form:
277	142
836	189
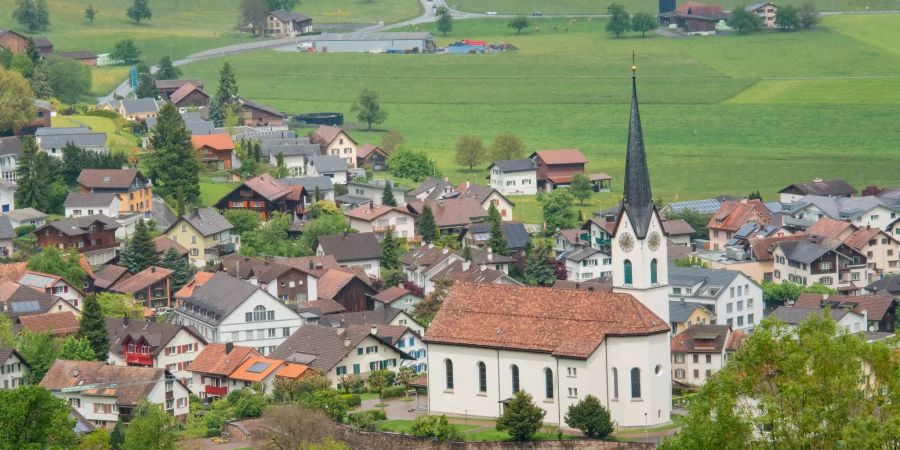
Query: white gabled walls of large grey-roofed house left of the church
263	335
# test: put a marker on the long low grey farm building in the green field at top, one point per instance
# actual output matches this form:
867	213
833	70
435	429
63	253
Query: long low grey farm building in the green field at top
371	42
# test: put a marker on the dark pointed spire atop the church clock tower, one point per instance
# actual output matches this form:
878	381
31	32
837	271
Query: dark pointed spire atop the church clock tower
637	199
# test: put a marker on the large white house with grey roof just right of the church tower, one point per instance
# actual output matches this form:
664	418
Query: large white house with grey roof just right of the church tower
734	298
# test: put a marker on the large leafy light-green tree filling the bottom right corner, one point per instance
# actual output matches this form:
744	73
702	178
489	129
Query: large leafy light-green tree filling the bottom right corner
815	385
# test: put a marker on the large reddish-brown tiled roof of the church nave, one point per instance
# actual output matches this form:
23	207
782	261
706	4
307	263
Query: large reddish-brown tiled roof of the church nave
564	323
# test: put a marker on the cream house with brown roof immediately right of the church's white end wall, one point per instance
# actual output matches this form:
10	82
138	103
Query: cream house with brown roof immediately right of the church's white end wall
702	350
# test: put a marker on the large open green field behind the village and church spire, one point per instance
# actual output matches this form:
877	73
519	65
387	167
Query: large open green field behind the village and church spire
728	114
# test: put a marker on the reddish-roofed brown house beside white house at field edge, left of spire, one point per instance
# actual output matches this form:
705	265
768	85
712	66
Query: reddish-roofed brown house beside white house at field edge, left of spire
556	168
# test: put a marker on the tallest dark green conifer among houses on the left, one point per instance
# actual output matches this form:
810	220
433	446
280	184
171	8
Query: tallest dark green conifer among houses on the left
171	162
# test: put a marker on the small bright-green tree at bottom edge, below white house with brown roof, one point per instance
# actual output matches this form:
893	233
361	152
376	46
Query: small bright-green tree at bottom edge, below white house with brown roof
152	428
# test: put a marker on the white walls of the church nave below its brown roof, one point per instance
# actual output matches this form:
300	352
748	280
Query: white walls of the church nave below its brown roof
570	380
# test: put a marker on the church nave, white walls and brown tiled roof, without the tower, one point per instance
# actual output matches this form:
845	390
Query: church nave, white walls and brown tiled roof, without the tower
487	342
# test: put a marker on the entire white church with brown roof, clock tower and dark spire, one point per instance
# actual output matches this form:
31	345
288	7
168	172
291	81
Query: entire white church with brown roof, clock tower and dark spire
489	341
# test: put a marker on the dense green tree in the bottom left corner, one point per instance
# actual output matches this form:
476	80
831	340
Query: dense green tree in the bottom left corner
33	418
